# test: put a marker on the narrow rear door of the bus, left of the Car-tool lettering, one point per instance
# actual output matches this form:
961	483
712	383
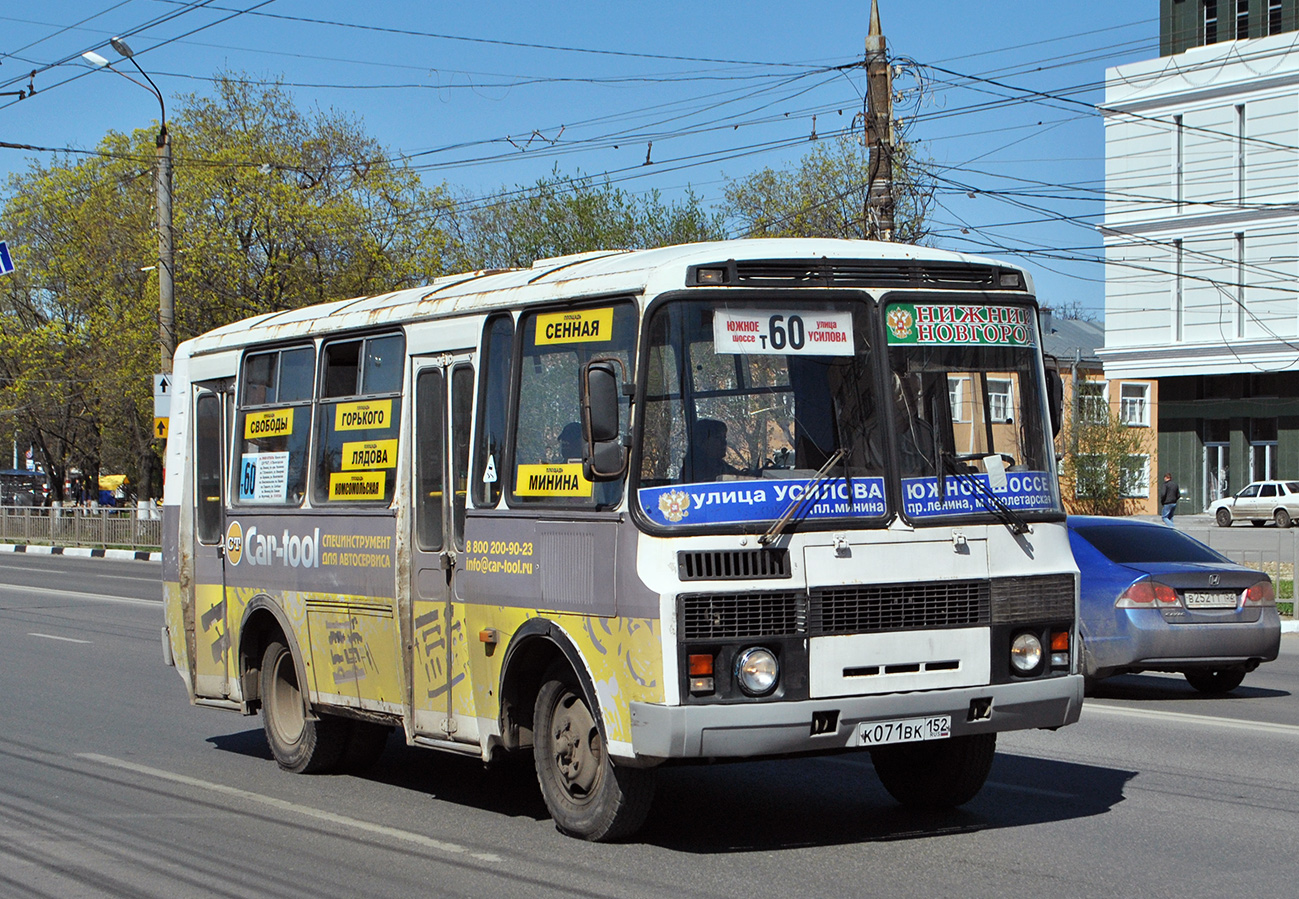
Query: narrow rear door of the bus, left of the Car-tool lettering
211	627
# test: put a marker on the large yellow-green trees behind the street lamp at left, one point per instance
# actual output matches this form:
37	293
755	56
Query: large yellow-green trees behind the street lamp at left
275	209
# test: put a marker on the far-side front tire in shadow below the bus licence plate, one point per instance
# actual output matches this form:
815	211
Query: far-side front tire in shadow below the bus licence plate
941	774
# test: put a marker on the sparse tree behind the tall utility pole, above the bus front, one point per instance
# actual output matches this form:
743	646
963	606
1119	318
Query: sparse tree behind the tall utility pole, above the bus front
824	196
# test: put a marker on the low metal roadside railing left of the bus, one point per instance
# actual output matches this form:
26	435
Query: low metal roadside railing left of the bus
103	528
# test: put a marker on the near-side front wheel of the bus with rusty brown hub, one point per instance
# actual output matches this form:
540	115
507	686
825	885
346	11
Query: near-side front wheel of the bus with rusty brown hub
588	796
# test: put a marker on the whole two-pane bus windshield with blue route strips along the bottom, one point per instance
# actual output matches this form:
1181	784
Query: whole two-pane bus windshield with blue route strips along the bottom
750	409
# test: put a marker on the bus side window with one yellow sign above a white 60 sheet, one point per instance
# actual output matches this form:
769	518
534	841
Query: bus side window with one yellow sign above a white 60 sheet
275	427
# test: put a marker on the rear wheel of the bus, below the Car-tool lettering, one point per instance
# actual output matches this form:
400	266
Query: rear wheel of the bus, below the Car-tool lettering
298	744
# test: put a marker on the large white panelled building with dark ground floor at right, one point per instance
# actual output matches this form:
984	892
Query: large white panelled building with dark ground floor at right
1202	241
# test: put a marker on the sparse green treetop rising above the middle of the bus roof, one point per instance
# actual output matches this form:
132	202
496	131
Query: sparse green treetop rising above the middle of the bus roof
563	215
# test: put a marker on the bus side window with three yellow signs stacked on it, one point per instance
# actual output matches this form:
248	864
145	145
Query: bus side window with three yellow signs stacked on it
360	410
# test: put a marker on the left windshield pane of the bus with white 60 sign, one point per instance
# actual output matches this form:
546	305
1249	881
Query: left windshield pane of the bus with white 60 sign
746	405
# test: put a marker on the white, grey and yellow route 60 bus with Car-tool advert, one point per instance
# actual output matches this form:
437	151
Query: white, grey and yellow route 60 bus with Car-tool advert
716	502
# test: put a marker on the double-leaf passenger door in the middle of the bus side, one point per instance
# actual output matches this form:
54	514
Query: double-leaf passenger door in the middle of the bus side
444	390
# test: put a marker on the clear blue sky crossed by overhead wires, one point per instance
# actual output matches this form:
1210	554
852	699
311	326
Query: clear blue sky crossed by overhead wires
498	93
